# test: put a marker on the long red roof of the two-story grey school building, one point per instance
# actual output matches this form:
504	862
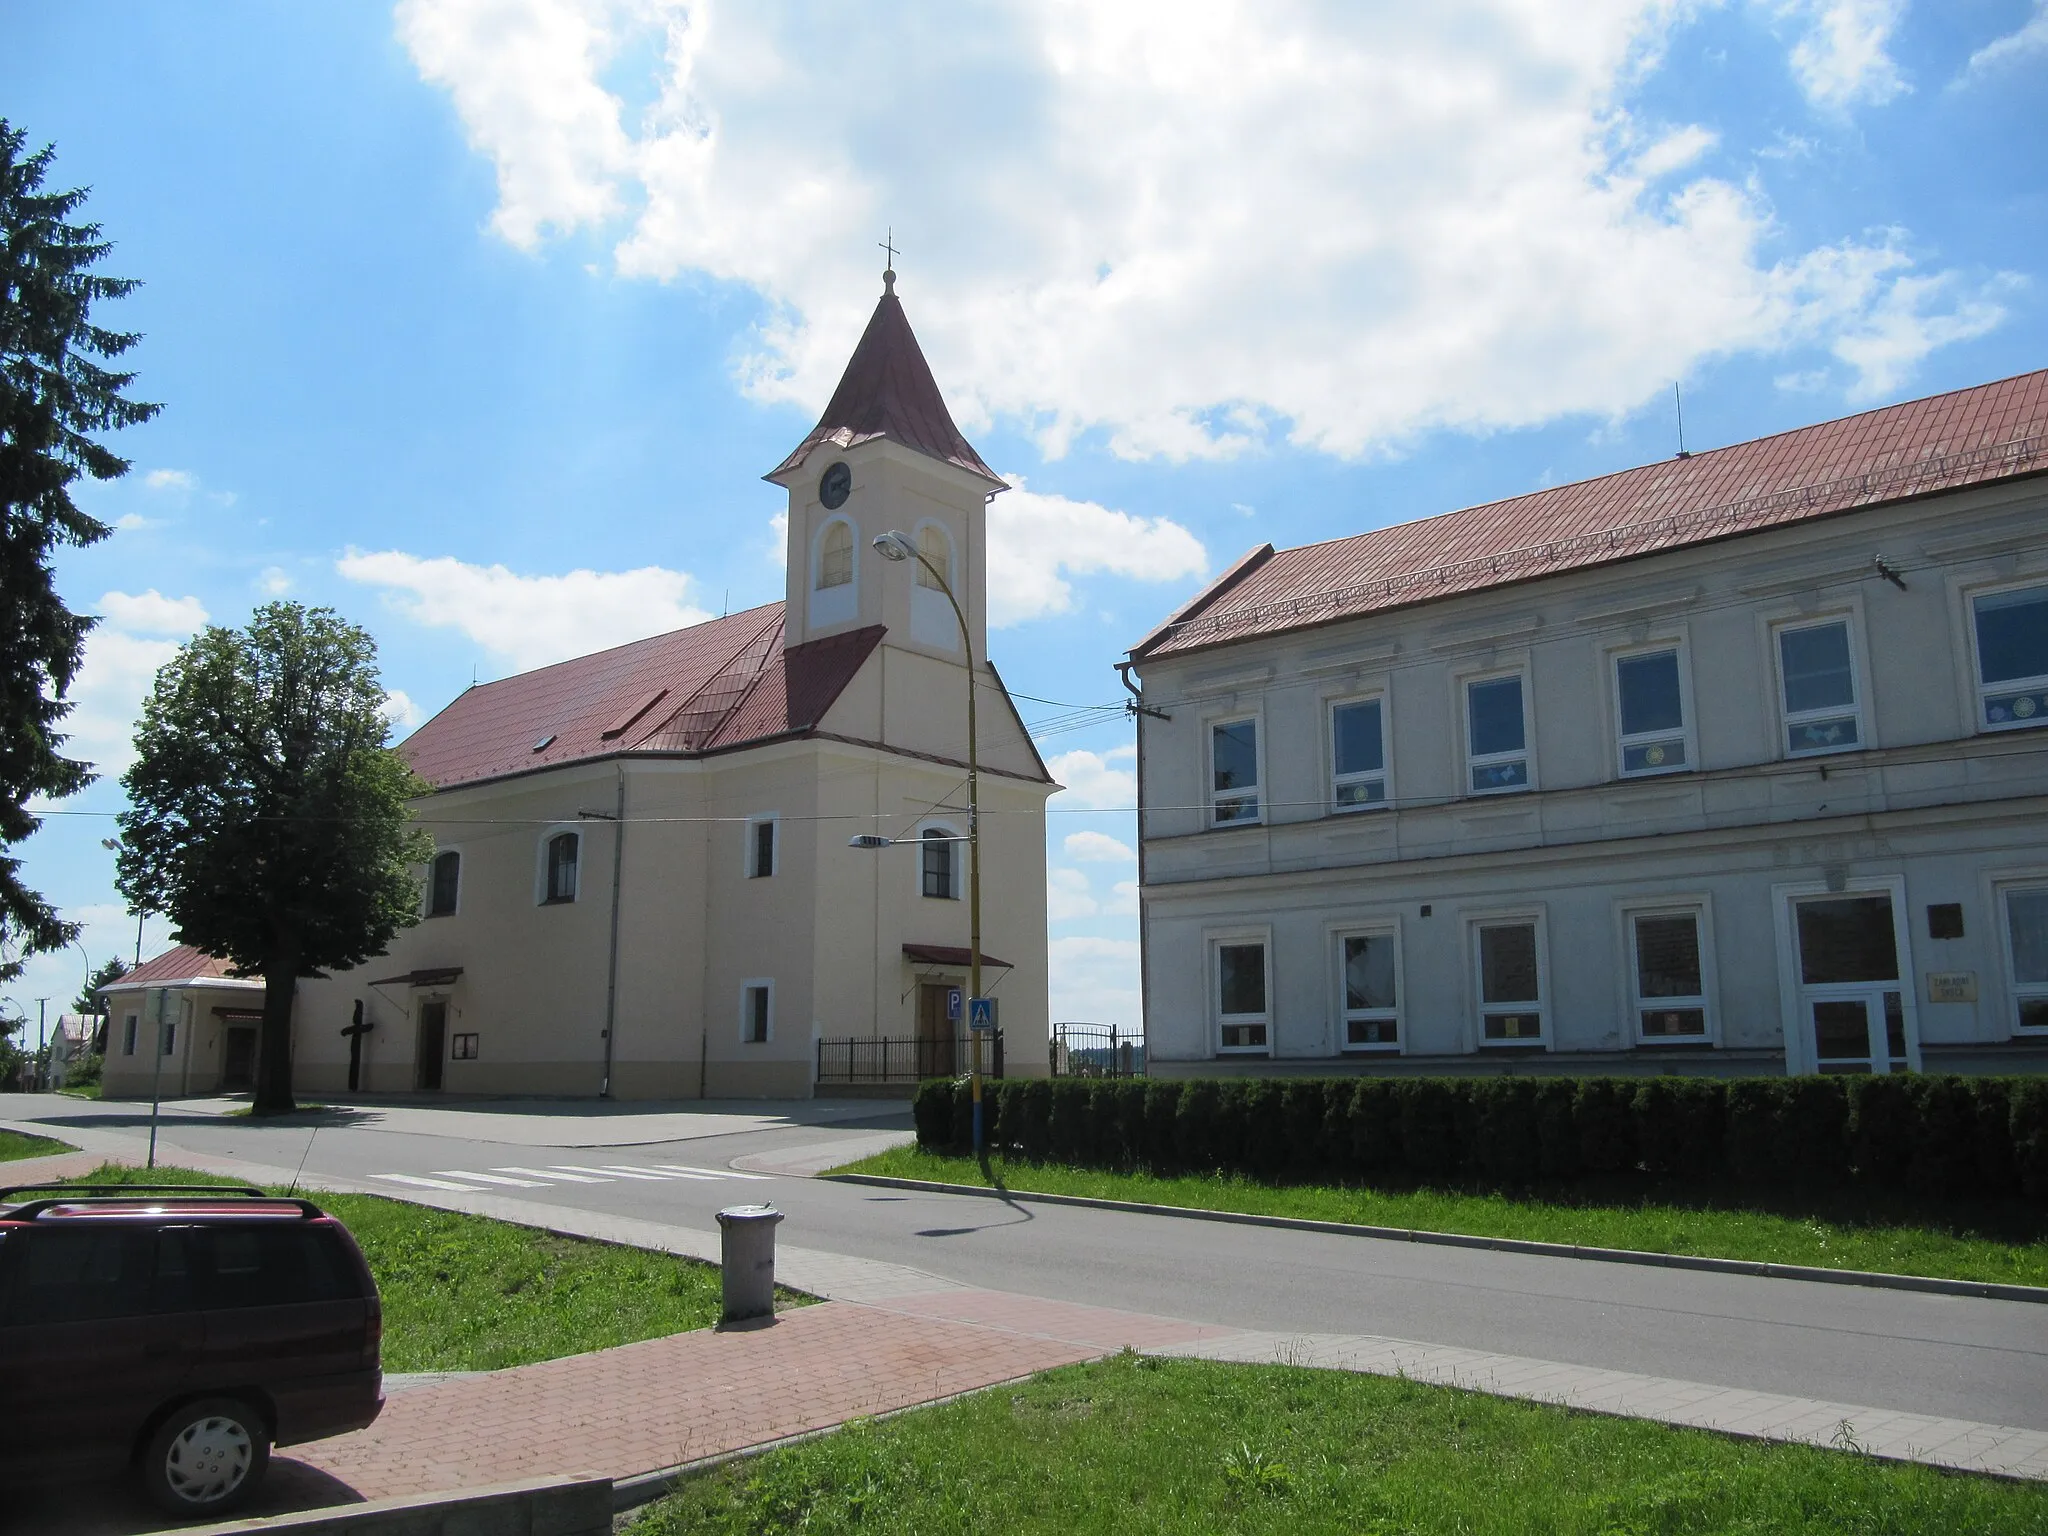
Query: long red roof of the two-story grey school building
1969	437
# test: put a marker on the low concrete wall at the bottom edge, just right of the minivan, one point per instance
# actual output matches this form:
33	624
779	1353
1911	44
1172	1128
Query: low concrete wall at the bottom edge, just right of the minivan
544	1506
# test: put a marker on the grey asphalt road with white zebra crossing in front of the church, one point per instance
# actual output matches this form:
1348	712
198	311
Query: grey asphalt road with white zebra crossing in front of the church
1893	1351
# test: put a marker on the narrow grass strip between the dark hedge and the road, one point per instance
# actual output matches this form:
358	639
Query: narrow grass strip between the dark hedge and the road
2002	1242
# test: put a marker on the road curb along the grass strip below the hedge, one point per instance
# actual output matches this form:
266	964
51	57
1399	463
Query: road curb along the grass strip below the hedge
1983	1289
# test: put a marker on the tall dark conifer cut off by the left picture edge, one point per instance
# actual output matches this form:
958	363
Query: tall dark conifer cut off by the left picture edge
54	396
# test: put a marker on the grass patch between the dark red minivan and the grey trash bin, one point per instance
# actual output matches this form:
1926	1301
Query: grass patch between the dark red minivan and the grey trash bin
468	1293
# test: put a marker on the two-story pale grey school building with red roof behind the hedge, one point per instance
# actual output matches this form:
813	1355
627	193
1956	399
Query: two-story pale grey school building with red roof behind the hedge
1727	765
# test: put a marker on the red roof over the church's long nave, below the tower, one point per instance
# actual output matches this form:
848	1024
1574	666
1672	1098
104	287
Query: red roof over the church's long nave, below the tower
712	687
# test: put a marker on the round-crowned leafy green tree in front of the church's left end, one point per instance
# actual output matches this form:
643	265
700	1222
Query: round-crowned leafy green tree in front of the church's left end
269	820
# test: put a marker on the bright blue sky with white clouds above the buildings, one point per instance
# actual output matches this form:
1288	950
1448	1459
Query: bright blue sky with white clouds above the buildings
480	321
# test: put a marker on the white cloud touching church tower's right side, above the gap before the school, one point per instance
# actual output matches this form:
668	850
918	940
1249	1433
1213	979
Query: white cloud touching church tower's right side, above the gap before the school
1035	538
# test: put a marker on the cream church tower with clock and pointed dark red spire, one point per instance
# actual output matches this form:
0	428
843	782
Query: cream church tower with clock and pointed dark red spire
884	458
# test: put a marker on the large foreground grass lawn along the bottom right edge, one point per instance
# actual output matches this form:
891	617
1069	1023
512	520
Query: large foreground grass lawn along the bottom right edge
1136	1445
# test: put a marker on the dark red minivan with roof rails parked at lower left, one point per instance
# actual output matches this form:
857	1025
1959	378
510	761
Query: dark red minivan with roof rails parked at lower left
179	1332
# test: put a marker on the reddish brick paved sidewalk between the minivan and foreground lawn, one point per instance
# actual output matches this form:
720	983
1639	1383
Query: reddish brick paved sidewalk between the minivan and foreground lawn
667	1402
